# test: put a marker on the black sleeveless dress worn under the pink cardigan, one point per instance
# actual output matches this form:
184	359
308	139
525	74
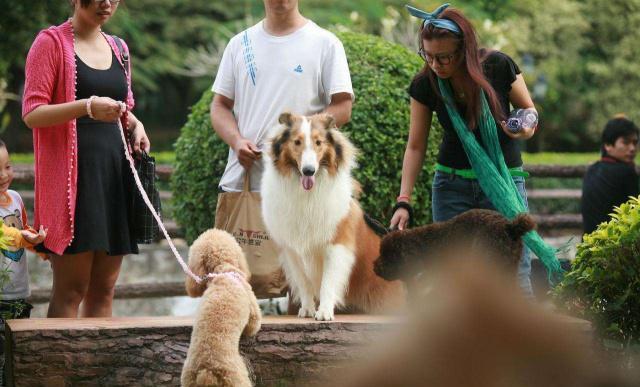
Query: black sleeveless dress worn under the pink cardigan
103	217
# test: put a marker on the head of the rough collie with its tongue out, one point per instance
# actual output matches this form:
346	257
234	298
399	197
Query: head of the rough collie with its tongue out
307	144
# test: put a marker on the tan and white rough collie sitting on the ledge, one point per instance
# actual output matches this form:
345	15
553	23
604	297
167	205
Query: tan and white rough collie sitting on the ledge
309	210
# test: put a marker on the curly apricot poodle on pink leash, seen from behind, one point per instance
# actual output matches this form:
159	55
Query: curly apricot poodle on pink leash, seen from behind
228	310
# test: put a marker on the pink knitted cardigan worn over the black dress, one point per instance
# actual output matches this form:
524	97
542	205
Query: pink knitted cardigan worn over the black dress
50	78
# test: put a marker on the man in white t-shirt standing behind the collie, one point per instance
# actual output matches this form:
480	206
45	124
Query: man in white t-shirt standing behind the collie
283	63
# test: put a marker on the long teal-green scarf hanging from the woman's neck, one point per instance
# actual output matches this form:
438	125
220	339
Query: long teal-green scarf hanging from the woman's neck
493	175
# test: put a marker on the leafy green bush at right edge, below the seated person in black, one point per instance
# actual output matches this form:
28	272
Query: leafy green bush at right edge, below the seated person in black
604	282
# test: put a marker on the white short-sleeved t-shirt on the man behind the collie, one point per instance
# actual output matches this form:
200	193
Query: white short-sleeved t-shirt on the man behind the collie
267	75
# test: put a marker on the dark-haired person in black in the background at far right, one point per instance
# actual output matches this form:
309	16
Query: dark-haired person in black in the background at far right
610	181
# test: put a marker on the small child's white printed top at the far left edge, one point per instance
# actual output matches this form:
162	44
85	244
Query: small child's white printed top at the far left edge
15	215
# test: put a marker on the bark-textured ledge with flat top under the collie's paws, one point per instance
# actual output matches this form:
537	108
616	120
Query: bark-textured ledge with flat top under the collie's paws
150	351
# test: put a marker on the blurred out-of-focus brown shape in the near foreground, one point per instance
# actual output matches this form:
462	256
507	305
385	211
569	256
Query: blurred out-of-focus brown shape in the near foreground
473	328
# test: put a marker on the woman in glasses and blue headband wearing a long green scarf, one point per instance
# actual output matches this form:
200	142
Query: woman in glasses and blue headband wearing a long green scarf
470	90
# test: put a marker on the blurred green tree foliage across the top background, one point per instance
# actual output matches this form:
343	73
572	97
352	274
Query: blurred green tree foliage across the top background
585	50
